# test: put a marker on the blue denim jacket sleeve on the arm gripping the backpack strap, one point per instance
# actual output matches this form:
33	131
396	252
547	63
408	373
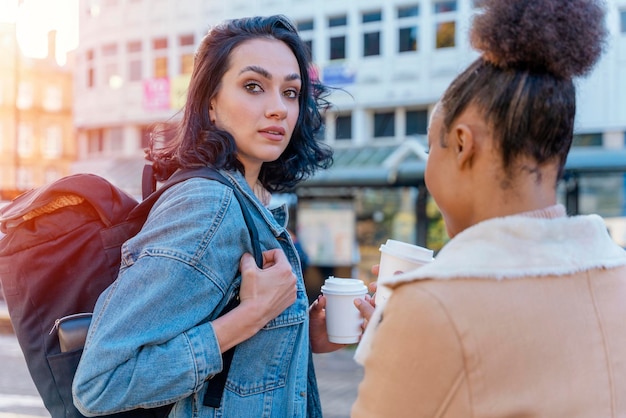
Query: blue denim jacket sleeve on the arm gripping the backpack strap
151	341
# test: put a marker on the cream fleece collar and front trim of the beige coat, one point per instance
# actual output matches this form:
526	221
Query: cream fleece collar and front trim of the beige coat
515	247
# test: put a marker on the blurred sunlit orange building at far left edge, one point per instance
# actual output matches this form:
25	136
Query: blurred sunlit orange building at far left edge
37	143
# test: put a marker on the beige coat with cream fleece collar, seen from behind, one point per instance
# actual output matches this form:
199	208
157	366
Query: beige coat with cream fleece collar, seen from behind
516	317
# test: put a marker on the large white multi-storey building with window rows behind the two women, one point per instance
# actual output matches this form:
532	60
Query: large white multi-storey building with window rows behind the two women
390	61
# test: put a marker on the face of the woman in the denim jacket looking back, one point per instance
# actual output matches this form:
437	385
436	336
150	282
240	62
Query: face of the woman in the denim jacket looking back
257	101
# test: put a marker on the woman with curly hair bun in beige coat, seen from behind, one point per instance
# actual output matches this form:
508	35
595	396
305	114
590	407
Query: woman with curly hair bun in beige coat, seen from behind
522	312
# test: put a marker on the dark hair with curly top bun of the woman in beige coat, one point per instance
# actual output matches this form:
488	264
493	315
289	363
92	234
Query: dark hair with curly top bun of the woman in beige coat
523	82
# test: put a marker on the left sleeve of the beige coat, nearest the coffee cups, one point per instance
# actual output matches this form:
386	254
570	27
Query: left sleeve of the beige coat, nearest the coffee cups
416	367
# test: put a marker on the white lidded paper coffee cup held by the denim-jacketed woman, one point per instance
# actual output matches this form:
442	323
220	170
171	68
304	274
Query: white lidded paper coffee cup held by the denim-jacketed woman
343	319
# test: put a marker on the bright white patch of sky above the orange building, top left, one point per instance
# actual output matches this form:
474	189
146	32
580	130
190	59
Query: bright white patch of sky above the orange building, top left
35	18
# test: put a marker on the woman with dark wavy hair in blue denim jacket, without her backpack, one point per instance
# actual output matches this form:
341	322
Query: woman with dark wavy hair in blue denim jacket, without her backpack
157	337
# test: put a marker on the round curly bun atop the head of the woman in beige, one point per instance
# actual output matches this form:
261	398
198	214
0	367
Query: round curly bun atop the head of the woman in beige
562	37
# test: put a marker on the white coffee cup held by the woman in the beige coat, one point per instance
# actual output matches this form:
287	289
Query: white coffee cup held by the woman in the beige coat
398	256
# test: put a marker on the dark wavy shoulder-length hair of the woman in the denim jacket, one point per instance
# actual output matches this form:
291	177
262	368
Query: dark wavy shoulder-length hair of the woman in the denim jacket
197	142
